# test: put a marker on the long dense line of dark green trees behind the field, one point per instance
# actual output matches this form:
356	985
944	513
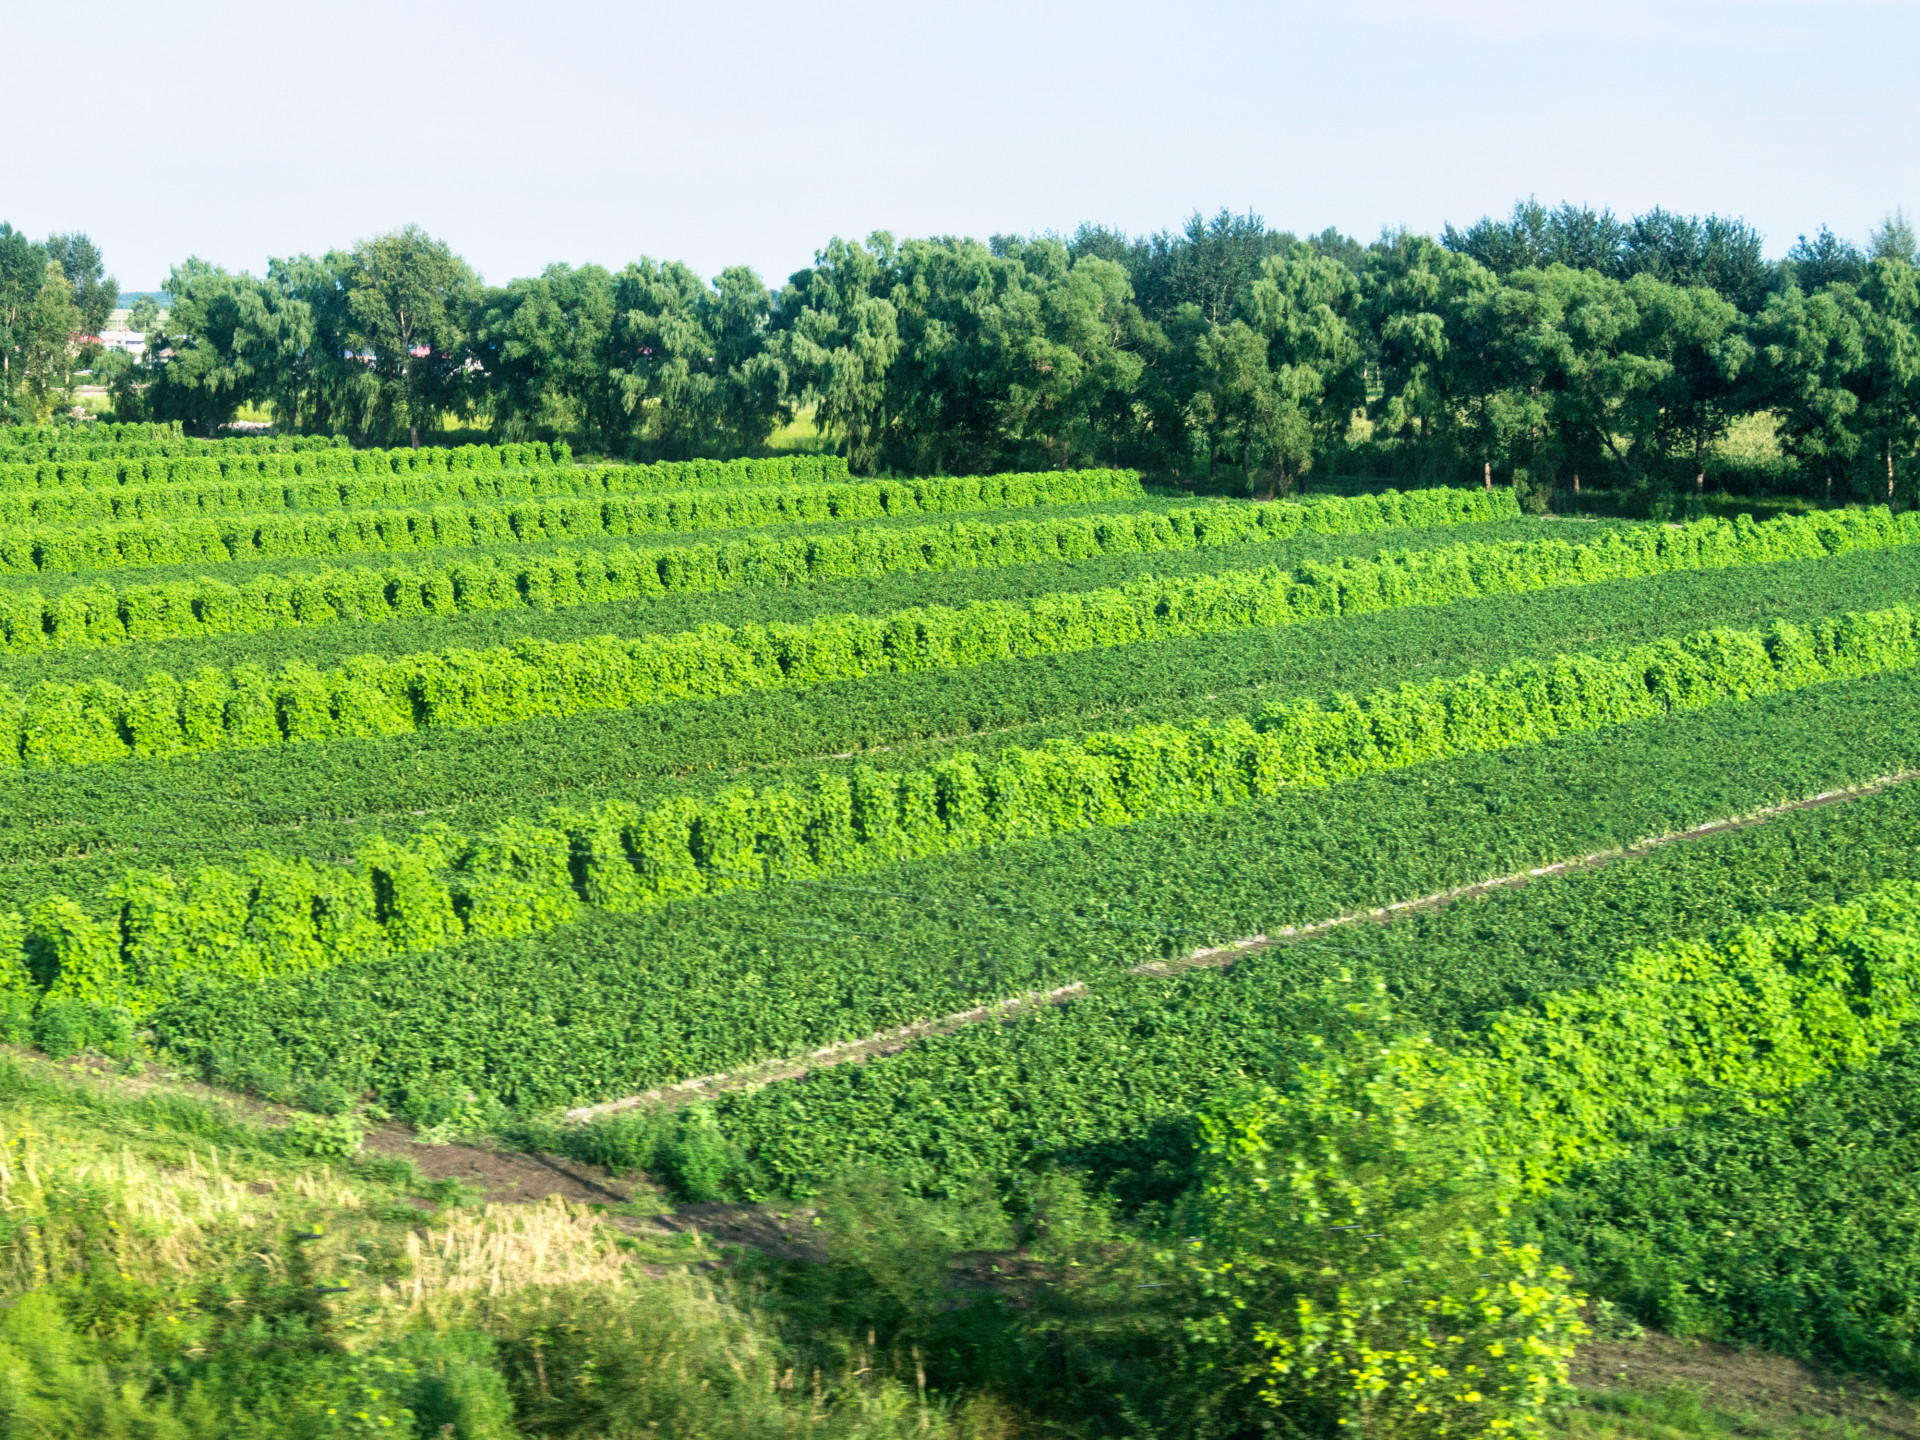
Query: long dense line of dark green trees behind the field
1529	350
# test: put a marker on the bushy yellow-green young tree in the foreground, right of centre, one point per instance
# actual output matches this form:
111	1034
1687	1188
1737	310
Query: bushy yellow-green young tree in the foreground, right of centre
1353	1260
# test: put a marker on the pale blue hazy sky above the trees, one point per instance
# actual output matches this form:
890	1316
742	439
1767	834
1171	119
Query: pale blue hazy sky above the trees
754	133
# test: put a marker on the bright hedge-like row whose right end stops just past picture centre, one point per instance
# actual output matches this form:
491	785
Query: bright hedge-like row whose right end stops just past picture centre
443	527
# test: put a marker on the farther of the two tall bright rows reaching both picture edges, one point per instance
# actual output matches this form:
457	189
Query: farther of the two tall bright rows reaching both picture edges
95	721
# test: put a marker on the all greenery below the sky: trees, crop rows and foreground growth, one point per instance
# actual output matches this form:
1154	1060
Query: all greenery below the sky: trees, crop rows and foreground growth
1130	963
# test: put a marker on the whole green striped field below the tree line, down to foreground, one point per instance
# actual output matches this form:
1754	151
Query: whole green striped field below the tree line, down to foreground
953	857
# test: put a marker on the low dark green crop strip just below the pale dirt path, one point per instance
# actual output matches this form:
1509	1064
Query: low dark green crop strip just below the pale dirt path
1115	1080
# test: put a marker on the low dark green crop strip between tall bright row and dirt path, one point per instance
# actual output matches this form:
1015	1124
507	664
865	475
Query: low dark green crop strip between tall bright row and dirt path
744	976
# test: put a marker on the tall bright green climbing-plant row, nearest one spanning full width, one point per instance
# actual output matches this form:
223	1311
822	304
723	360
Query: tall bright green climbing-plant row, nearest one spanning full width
289	917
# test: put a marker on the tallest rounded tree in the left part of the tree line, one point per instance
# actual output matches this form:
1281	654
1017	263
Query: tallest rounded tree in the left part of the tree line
410	302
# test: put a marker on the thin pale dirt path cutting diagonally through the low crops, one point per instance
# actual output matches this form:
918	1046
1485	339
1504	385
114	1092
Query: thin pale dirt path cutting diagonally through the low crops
1220	955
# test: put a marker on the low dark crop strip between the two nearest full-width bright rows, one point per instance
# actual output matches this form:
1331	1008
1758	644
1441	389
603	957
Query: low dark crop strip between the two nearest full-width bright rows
74	830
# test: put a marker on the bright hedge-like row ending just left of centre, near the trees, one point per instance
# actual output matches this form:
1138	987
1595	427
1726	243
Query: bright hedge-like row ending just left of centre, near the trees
239	494
